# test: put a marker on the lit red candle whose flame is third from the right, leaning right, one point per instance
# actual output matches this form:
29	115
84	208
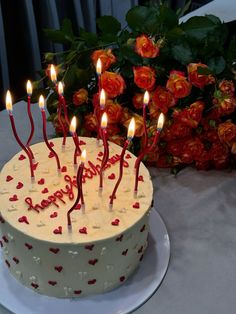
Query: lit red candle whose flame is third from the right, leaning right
131	131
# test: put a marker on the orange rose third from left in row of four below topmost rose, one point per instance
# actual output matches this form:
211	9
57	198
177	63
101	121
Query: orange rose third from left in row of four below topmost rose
178	85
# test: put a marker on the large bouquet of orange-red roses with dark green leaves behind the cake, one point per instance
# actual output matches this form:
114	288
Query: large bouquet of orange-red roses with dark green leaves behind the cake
188	69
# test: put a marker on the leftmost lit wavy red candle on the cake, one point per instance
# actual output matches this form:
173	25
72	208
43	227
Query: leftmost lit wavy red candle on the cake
9	109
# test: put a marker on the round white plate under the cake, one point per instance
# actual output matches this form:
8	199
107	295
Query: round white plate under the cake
125	299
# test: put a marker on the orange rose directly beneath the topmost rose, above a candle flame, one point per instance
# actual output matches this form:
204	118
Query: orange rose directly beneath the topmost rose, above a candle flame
144	77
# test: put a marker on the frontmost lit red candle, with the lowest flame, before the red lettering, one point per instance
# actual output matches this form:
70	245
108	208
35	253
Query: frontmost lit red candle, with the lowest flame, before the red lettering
79	187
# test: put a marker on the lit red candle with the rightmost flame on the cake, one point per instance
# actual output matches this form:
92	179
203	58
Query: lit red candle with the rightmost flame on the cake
148	149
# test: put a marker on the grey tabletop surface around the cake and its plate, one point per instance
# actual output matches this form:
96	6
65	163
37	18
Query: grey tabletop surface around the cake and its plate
200	214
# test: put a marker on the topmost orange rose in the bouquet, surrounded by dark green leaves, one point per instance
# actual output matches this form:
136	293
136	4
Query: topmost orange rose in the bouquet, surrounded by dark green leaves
145	47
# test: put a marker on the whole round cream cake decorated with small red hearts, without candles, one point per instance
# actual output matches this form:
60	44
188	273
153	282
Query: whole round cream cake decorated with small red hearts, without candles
103	247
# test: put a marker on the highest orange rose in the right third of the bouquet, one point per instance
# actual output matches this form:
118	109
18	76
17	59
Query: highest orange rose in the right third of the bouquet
199	80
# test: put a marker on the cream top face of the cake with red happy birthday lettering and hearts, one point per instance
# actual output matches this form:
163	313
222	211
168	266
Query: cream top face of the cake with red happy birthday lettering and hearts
40	210
